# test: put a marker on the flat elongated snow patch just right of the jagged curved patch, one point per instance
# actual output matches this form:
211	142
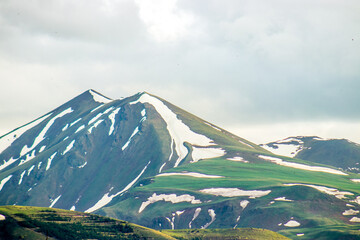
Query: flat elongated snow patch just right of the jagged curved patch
235	192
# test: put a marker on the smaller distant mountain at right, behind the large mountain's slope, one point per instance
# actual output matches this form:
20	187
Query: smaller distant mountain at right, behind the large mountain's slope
340	153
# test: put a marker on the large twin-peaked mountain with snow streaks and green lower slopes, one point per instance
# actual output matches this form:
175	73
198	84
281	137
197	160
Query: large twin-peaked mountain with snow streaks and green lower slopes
144	160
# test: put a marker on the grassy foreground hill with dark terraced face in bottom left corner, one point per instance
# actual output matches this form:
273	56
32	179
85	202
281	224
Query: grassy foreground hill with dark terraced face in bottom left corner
47	223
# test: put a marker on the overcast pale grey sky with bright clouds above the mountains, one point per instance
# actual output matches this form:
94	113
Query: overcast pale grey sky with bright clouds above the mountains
264	70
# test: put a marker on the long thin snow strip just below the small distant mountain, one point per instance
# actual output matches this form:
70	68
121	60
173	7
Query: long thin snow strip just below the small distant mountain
301	166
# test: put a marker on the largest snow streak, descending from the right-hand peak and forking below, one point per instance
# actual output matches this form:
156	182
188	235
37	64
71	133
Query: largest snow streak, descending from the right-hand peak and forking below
179	132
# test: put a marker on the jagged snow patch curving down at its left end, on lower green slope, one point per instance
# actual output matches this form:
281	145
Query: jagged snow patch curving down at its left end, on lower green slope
168	198
